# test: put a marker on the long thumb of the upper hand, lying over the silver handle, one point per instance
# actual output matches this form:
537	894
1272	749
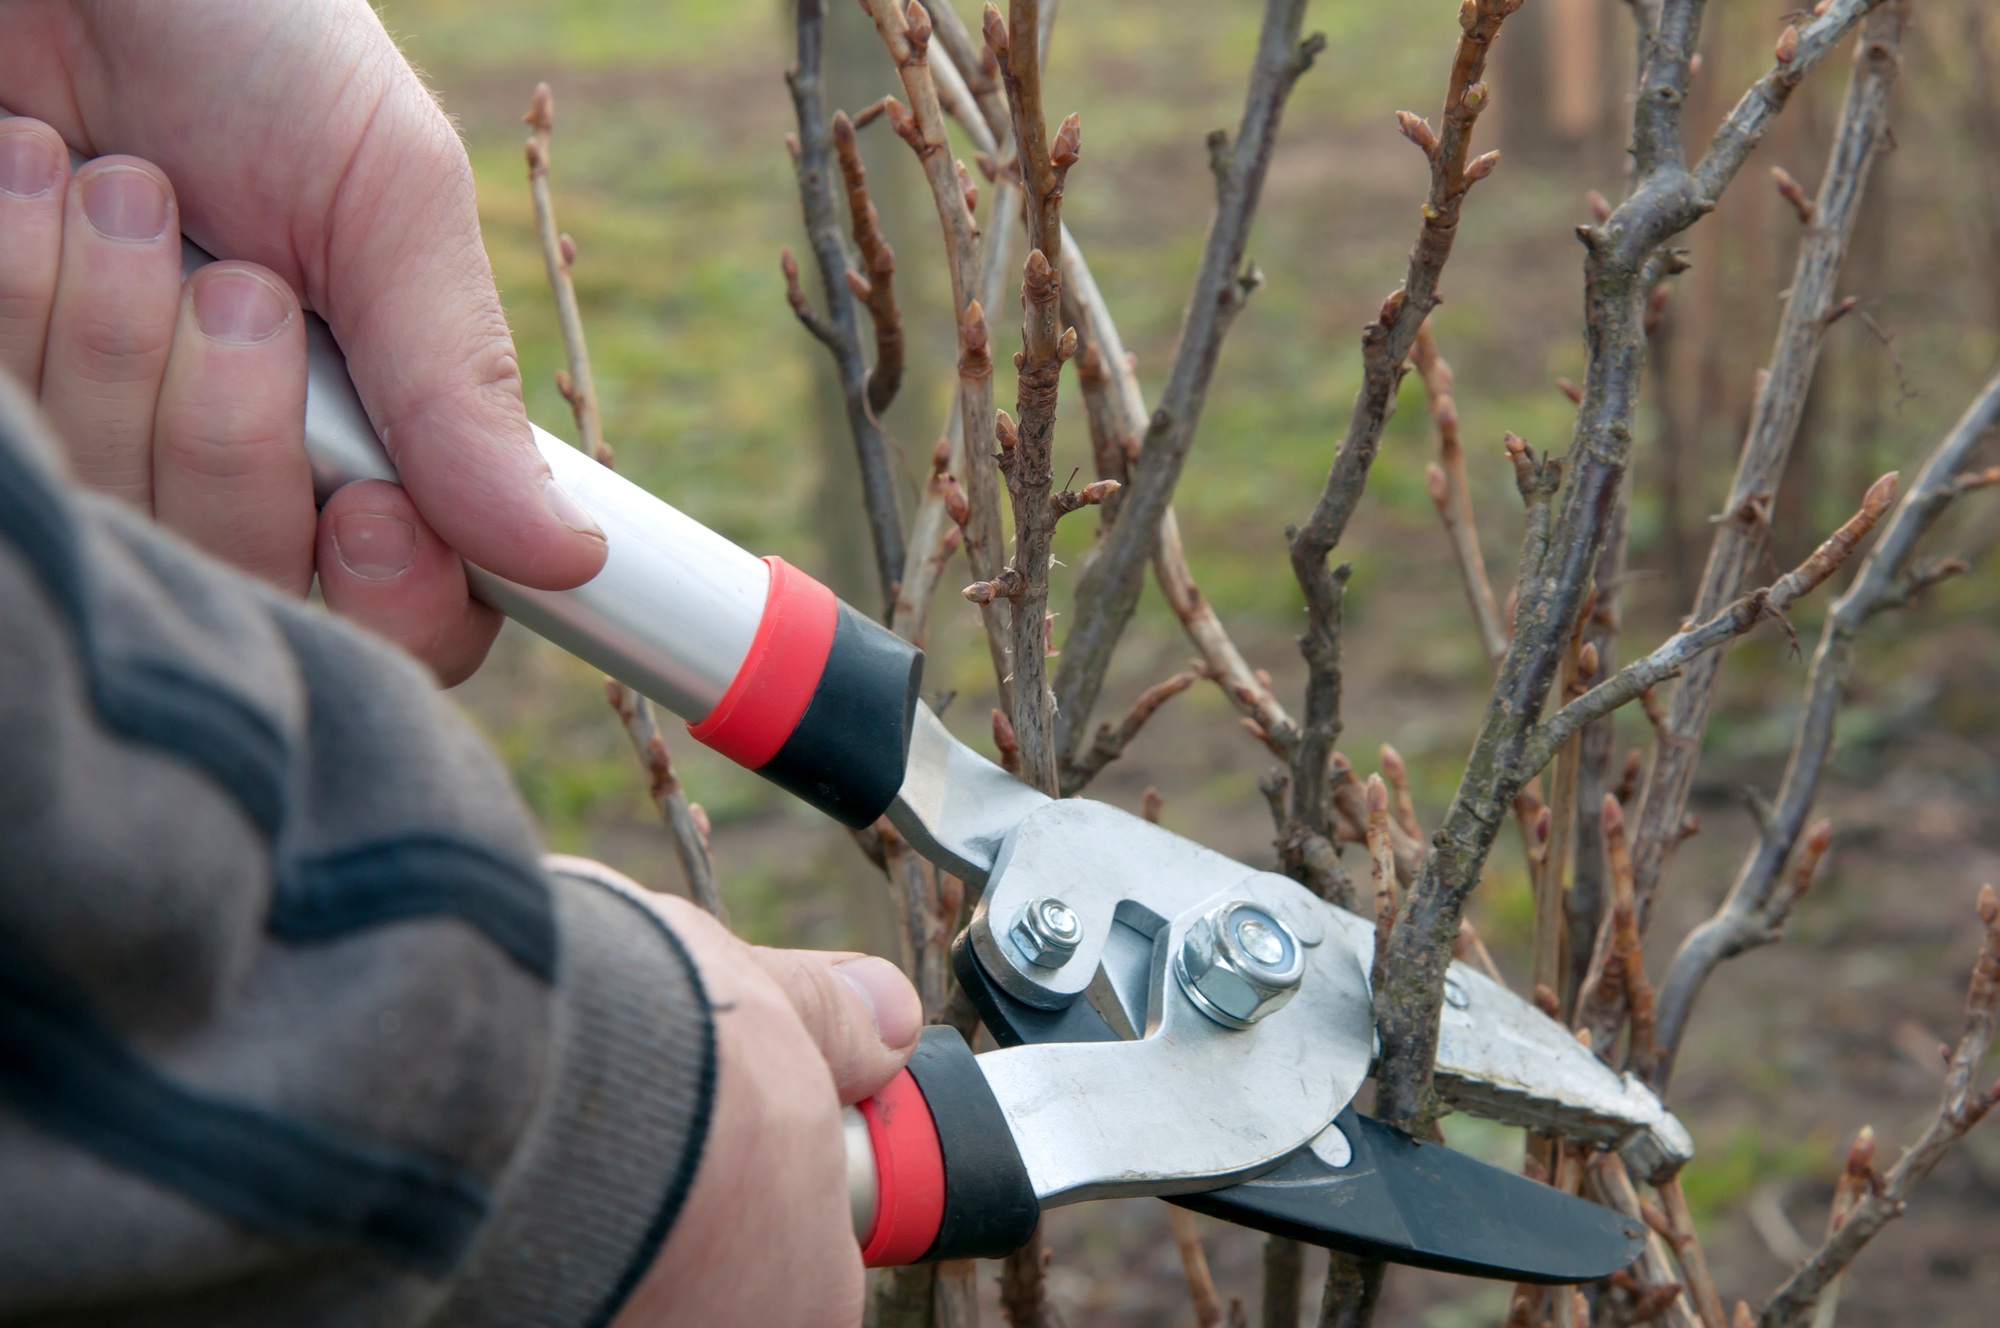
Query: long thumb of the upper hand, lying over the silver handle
413	303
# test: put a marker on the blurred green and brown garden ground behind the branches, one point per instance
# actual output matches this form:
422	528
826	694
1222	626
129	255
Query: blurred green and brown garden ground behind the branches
671	173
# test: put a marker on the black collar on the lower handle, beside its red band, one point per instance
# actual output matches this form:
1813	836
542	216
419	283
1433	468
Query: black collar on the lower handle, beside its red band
989	1201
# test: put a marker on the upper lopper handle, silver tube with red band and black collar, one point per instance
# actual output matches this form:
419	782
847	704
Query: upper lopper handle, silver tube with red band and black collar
763	661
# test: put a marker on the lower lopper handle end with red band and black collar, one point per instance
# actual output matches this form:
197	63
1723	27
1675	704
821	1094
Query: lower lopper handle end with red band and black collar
933	1169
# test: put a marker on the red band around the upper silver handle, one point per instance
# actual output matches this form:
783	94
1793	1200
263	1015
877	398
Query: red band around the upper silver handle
773	687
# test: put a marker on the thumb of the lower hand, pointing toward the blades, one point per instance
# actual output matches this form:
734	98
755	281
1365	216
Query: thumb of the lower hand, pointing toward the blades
861	1011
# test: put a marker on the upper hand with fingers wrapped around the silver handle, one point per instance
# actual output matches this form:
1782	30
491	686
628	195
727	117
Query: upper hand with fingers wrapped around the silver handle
299	141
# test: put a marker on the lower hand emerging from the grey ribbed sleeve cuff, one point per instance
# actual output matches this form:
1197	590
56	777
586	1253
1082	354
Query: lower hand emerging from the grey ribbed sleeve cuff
765	1235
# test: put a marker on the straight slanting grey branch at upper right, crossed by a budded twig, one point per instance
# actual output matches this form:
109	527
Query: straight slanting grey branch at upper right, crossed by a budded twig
1781	403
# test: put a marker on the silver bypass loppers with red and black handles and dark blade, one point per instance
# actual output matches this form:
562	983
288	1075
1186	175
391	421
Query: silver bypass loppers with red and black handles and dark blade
1171	1021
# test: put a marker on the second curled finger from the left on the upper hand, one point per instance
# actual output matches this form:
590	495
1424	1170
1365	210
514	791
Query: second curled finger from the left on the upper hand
113	323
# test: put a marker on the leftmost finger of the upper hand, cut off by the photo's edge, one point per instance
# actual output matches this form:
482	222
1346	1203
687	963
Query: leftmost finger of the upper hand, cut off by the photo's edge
35	171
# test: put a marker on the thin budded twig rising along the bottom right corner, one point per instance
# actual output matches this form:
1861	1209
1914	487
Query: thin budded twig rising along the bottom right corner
1961	1109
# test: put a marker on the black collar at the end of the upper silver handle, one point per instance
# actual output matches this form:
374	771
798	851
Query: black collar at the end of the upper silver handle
849	751
